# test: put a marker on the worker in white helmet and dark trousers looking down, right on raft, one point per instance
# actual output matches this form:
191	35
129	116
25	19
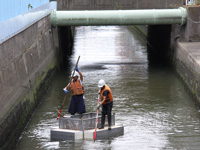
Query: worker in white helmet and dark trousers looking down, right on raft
106	103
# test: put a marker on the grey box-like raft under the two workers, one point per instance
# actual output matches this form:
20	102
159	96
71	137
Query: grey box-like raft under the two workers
83	127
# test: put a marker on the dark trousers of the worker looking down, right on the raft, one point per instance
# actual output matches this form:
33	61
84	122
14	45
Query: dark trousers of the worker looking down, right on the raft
106	110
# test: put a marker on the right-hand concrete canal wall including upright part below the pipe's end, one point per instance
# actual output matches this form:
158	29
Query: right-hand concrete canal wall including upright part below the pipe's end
185	52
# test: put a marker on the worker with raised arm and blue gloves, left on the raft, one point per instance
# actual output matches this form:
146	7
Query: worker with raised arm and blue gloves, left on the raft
77	104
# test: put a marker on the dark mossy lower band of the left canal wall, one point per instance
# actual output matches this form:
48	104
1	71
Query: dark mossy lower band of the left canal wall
21	113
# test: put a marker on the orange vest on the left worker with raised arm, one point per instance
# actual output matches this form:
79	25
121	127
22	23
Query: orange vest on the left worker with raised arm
76	88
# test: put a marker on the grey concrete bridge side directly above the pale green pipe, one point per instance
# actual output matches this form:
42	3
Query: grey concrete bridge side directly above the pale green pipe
117	4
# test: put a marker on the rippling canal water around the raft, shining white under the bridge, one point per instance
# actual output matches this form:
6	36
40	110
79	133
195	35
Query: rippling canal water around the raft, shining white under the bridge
149	101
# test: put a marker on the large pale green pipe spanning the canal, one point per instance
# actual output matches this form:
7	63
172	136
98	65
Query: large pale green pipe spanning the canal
119	17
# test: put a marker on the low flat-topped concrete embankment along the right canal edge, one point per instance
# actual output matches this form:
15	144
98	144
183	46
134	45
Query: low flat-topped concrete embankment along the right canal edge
187	65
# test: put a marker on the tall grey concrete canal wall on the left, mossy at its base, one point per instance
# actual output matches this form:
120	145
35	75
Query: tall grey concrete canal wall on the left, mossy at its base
27	63
